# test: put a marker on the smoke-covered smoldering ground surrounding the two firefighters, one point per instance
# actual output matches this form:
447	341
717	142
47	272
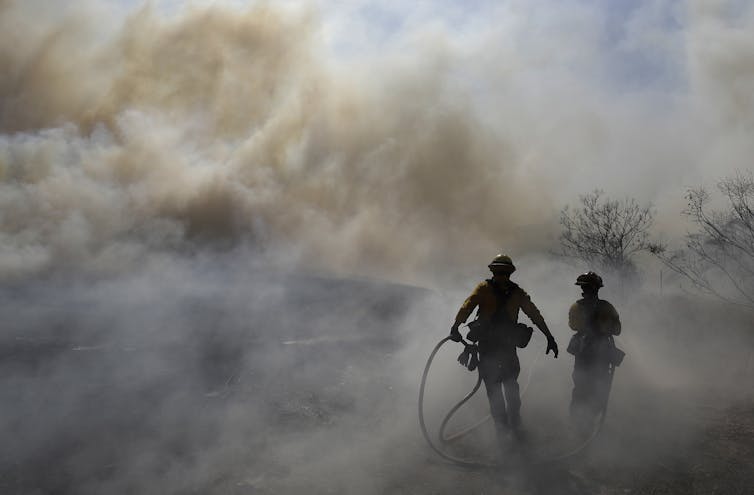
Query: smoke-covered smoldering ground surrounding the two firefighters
211	376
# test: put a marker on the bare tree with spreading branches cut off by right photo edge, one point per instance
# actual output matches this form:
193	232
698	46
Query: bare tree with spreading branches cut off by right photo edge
719	256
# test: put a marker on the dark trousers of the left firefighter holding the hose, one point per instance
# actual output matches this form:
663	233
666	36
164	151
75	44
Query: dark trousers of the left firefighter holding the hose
499	369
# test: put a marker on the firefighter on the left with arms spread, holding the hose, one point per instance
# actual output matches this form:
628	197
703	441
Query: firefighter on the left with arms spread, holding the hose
499	301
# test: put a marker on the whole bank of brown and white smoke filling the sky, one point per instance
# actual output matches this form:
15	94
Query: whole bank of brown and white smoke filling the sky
226	125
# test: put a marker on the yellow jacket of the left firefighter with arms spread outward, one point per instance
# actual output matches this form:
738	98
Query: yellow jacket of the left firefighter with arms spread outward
484	297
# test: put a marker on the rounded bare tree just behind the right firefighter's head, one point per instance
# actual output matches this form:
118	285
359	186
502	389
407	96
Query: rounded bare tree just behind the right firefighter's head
606	233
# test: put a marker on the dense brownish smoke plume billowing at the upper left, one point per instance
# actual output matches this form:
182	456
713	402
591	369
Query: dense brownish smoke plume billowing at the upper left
223	126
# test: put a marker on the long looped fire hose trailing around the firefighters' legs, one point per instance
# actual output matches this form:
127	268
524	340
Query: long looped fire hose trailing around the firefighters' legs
480	464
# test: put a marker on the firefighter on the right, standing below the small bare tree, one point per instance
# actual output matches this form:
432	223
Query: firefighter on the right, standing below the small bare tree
595	321
